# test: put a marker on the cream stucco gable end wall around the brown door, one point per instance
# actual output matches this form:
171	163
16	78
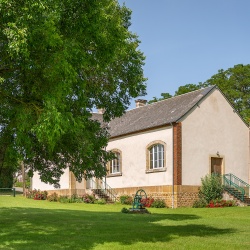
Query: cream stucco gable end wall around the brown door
214	127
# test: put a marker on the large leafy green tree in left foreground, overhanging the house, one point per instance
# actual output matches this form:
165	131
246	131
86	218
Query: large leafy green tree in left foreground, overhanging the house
59	60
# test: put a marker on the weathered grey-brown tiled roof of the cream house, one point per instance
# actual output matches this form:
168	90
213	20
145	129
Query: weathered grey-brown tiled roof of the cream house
155	114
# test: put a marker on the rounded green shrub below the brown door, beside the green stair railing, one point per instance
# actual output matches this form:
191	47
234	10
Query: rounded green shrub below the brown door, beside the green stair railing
211	188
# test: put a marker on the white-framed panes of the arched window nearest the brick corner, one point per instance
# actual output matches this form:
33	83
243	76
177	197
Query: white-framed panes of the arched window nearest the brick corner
156	155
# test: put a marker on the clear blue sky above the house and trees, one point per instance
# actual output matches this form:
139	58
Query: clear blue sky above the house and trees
188	41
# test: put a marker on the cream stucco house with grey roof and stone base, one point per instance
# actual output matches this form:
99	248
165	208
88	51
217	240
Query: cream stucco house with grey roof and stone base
166	148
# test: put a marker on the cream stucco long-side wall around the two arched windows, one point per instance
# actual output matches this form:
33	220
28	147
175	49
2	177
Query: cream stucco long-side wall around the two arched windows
133	149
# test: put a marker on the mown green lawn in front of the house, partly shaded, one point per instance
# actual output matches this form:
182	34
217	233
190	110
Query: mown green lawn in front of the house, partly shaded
29	224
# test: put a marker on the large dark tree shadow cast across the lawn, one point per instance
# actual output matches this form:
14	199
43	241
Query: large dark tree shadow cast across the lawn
34	228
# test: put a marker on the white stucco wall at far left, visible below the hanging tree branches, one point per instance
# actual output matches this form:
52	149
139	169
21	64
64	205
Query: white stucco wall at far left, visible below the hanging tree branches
38	184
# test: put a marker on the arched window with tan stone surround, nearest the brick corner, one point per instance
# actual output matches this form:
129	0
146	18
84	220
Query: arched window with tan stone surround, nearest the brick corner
156	156
